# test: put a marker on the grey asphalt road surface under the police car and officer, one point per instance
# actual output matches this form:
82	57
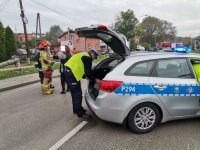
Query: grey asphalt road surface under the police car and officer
30	120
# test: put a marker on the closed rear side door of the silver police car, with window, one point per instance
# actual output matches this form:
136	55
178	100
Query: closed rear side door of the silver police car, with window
174	83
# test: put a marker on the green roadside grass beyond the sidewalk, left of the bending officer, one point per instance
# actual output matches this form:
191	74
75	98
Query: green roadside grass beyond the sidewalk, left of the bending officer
24	71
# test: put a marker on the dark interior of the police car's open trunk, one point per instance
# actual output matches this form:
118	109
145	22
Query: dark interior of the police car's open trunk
100	72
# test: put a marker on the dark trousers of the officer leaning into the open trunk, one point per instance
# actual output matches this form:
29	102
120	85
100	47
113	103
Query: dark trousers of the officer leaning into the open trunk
76	92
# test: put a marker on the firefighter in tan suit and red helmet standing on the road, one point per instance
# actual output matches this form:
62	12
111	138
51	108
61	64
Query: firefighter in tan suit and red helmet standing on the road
47	62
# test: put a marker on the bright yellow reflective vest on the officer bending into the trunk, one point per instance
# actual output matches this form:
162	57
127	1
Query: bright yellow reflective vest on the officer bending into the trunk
76	65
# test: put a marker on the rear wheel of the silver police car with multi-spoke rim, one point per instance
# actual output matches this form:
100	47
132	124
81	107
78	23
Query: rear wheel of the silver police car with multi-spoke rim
143	118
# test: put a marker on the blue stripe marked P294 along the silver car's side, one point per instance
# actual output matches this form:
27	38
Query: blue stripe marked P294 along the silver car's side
170	89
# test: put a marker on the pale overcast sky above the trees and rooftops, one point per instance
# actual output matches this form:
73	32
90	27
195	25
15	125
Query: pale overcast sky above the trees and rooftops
184	14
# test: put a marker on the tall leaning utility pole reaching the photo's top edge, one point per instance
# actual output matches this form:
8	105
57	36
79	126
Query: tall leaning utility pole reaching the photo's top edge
25	21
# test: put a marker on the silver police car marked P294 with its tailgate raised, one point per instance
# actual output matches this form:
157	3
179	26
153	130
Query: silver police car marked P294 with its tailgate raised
141	89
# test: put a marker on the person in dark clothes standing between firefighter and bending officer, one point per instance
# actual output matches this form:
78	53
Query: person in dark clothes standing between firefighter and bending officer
64	57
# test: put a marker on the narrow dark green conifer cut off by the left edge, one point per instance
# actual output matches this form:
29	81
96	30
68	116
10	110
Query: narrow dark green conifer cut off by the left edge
2	51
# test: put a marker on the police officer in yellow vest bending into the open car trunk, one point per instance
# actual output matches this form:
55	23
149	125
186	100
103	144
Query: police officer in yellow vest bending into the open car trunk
77	67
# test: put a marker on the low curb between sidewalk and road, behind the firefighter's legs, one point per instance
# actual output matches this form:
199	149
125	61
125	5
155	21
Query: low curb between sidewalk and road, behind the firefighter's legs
23	84
